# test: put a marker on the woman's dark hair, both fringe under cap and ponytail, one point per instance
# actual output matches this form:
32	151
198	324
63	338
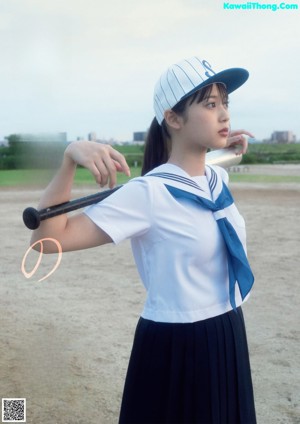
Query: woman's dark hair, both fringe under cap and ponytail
158	141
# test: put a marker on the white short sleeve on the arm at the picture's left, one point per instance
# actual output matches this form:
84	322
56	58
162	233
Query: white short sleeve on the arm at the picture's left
126	213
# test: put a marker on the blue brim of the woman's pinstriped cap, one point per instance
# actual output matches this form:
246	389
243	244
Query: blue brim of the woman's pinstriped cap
232	78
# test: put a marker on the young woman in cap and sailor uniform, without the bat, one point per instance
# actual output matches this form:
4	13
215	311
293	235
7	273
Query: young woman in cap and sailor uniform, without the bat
189	362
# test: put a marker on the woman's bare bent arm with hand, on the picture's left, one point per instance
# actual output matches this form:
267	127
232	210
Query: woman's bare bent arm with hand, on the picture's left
78	232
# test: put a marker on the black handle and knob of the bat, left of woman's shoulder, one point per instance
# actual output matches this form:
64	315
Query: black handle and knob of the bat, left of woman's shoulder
32	217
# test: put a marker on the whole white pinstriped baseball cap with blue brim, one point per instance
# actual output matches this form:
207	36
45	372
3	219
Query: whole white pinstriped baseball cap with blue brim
188	76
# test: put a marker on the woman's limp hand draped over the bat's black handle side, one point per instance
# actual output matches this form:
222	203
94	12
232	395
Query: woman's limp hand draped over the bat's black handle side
102	160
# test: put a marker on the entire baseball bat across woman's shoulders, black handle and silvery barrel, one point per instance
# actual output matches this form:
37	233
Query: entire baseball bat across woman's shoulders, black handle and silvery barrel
32	217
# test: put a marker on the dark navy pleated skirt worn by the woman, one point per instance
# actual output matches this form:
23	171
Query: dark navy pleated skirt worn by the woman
189	373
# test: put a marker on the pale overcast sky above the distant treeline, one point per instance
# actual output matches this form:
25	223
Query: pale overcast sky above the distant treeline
91	65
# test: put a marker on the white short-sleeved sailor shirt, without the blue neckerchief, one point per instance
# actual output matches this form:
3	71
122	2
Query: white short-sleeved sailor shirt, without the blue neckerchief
177	246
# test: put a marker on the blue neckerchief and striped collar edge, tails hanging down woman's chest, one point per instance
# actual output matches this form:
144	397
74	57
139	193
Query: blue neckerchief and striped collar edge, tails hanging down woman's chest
238	266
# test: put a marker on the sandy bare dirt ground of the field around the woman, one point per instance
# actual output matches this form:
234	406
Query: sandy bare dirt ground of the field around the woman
65	341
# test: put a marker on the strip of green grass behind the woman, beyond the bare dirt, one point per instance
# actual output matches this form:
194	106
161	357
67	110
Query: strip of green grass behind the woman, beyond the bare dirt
40	178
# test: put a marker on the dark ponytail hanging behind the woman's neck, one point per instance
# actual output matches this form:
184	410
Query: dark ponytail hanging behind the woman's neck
156	147
